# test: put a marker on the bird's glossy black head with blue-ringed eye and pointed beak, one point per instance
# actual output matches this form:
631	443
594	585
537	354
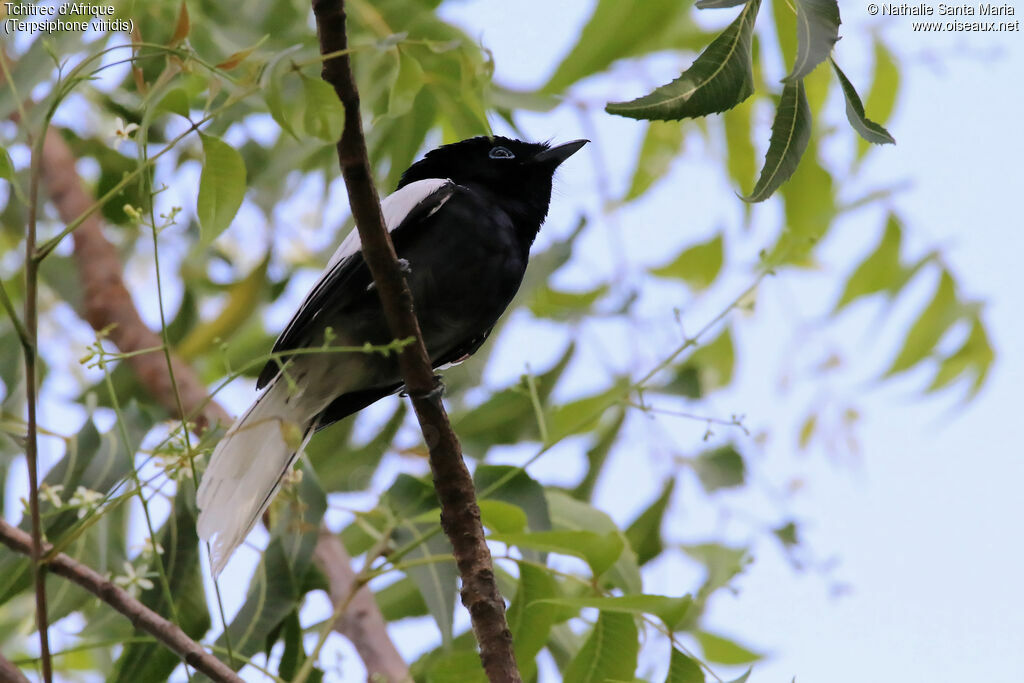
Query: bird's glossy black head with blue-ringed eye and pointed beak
514	174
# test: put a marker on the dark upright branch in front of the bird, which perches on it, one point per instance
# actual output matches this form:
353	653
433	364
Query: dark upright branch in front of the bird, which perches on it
460	515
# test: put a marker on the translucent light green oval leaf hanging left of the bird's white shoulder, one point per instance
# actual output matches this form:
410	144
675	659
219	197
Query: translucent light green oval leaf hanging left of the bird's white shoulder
222	187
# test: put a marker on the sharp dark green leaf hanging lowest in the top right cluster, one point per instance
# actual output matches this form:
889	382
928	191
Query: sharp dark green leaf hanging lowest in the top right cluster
790	135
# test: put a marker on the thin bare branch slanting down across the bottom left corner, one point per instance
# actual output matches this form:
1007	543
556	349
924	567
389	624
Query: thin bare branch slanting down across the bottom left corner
142	617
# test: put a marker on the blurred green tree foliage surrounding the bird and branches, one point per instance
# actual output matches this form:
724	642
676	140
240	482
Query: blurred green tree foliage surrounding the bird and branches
217	146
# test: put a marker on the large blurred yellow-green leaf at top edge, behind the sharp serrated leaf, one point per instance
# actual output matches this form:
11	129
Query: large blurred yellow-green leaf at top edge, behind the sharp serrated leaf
620	29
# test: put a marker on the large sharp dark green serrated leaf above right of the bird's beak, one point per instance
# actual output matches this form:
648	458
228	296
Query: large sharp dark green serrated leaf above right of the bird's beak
720	78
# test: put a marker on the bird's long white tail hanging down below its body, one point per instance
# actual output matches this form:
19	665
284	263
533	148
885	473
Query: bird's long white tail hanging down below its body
247	468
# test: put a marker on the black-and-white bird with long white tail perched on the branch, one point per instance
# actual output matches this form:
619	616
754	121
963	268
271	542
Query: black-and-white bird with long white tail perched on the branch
463	220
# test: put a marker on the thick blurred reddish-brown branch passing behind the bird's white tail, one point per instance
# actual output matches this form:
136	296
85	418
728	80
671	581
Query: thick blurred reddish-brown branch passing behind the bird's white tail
107	302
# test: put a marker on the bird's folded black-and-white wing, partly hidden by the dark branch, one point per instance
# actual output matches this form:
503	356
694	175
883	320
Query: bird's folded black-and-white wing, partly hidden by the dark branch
415	201
